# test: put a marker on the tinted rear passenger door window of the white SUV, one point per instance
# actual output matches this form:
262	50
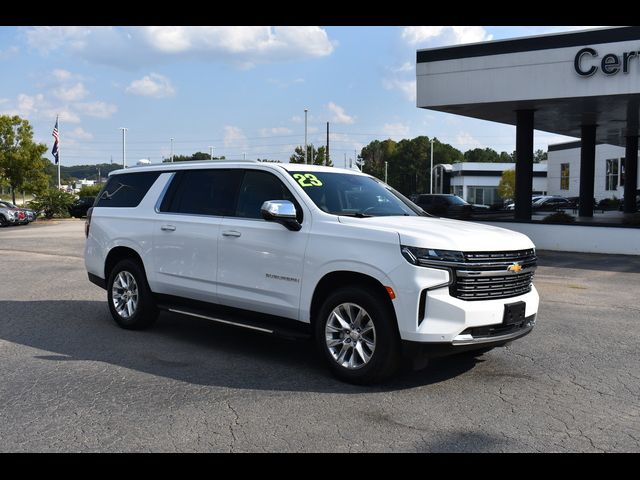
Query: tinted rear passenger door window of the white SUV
203	192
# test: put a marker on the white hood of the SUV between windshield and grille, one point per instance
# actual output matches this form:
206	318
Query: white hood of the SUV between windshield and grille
444	233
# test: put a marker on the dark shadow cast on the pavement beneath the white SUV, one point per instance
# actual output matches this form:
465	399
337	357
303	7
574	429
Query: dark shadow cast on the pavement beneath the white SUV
189	350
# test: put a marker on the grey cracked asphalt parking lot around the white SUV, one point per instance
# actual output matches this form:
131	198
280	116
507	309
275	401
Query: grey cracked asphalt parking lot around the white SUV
73	381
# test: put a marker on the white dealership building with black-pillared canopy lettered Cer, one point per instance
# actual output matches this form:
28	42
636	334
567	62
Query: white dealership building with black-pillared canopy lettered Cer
582	84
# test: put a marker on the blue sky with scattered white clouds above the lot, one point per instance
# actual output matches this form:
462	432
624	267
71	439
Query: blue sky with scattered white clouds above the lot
242	90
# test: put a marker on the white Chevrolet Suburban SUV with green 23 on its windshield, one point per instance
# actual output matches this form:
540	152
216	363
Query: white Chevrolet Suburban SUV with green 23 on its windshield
312	251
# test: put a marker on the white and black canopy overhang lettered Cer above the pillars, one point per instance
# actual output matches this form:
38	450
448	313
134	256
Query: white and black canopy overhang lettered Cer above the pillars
568	80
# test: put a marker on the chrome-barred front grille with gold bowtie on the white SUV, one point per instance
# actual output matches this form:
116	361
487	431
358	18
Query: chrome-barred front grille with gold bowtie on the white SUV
486	275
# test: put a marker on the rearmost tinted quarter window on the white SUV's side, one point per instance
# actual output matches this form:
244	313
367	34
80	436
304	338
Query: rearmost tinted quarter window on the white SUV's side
126	190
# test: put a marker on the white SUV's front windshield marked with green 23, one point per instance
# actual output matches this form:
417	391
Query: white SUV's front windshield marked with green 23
353	195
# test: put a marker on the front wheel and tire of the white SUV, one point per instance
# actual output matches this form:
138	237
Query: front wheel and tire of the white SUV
356	334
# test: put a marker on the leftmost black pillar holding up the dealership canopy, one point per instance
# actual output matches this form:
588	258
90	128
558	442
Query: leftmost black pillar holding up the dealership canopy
524	164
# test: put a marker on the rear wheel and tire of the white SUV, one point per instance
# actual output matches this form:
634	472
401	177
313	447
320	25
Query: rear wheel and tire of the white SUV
130	299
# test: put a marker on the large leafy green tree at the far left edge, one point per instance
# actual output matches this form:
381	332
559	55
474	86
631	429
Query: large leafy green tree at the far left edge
21	162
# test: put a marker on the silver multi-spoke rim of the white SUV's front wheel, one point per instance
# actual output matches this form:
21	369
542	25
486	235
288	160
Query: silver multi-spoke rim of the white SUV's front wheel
350	336
